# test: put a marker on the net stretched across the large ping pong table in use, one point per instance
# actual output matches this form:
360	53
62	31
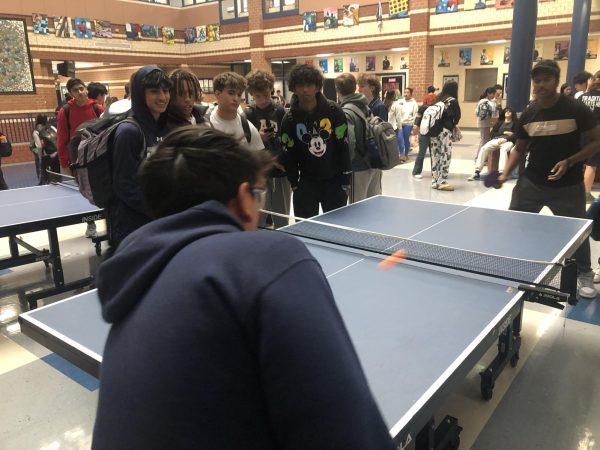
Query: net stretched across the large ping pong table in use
539	273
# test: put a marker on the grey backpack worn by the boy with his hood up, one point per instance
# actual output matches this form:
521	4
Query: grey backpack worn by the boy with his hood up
91	164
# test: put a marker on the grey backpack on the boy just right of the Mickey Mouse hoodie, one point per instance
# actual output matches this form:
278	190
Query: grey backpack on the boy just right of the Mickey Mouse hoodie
381	141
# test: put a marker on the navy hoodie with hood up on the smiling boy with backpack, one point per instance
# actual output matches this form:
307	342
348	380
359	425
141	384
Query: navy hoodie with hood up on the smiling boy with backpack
127	212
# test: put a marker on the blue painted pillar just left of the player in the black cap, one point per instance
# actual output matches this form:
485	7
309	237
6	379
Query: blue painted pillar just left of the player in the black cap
521	53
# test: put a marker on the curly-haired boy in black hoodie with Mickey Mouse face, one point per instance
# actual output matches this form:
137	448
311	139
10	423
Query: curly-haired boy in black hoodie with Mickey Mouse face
314	132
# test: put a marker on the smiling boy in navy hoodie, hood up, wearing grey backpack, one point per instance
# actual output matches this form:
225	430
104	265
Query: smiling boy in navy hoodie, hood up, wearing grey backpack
131	143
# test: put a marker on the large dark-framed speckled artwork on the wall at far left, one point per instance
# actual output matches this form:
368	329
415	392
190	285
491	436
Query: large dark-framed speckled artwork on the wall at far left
16	74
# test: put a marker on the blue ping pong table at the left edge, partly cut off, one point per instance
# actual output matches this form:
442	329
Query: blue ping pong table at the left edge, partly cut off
43	208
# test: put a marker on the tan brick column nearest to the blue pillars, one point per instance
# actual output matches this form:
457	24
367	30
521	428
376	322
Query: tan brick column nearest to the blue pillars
420	52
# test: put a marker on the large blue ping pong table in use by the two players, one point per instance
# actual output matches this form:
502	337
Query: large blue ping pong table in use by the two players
418	330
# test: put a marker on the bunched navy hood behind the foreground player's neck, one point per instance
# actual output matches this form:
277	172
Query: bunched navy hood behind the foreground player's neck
124	278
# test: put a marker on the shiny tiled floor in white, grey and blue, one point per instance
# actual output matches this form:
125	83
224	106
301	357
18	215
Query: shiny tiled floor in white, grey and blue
551	400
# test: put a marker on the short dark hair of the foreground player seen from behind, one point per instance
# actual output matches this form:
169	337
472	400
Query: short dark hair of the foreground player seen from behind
194	164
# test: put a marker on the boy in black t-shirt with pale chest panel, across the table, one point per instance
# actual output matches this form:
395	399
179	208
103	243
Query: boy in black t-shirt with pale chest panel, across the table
550	130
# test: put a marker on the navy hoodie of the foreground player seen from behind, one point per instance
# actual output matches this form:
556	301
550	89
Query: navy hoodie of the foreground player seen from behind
226	339
